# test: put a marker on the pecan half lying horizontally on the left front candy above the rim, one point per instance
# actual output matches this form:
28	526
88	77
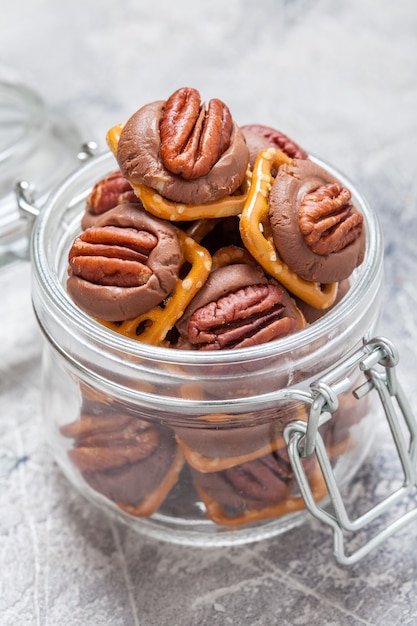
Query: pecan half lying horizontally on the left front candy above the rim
112	255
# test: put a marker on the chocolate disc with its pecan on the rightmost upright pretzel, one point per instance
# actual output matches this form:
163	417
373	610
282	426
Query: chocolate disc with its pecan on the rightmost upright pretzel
316	229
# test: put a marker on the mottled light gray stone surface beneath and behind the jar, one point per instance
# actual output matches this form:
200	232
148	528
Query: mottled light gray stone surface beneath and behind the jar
340	77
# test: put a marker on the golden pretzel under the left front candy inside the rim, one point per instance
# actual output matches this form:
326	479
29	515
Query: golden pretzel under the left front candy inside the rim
158	321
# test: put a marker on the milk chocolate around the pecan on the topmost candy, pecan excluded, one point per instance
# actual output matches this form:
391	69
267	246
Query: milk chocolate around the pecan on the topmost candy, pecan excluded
138	155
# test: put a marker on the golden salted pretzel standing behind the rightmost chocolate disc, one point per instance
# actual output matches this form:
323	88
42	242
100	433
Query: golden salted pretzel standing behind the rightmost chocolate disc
256	234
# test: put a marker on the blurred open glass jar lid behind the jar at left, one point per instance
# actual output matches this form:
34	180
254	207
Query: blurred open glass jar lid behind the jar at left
38	145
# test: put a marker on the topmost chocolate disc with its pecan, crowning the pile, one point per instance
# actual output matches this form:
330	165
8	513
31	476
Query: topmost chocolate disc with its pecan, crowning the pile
184	152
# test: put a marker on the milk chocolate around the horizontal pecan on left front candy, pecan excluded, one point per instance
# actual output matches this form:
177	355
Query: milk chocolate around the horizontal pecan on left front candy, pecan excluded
112	303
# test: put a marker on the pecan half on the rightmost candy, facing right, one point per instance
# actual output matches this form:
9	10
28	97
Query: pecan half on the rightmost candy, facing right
328	220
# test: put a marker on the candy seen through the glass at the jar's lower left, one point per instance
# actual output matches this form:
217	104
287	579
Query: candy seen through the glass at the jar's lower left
131	462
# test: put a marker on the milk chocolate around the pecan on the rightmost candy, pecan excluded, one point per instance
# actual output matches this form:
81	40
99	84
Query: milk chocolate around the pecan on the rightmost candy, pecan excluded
288	190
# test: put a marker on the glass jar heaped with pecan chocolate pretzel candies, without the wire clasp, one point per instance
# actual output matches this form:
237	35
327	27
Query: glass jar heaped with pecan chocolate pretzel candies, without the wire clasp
191	297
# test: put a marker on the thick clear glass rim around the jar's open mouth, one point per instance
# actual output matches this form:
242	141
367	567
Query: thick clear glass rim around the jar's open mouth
365	276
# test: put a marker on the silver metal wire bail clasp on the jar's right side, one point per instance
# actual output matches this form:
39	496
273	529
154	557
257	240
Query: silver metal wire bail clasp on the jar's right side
377	359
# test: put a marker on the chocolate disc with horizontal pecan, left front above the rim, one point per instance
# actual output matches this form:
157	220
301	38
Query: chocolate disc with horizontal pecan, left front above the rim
125	265
